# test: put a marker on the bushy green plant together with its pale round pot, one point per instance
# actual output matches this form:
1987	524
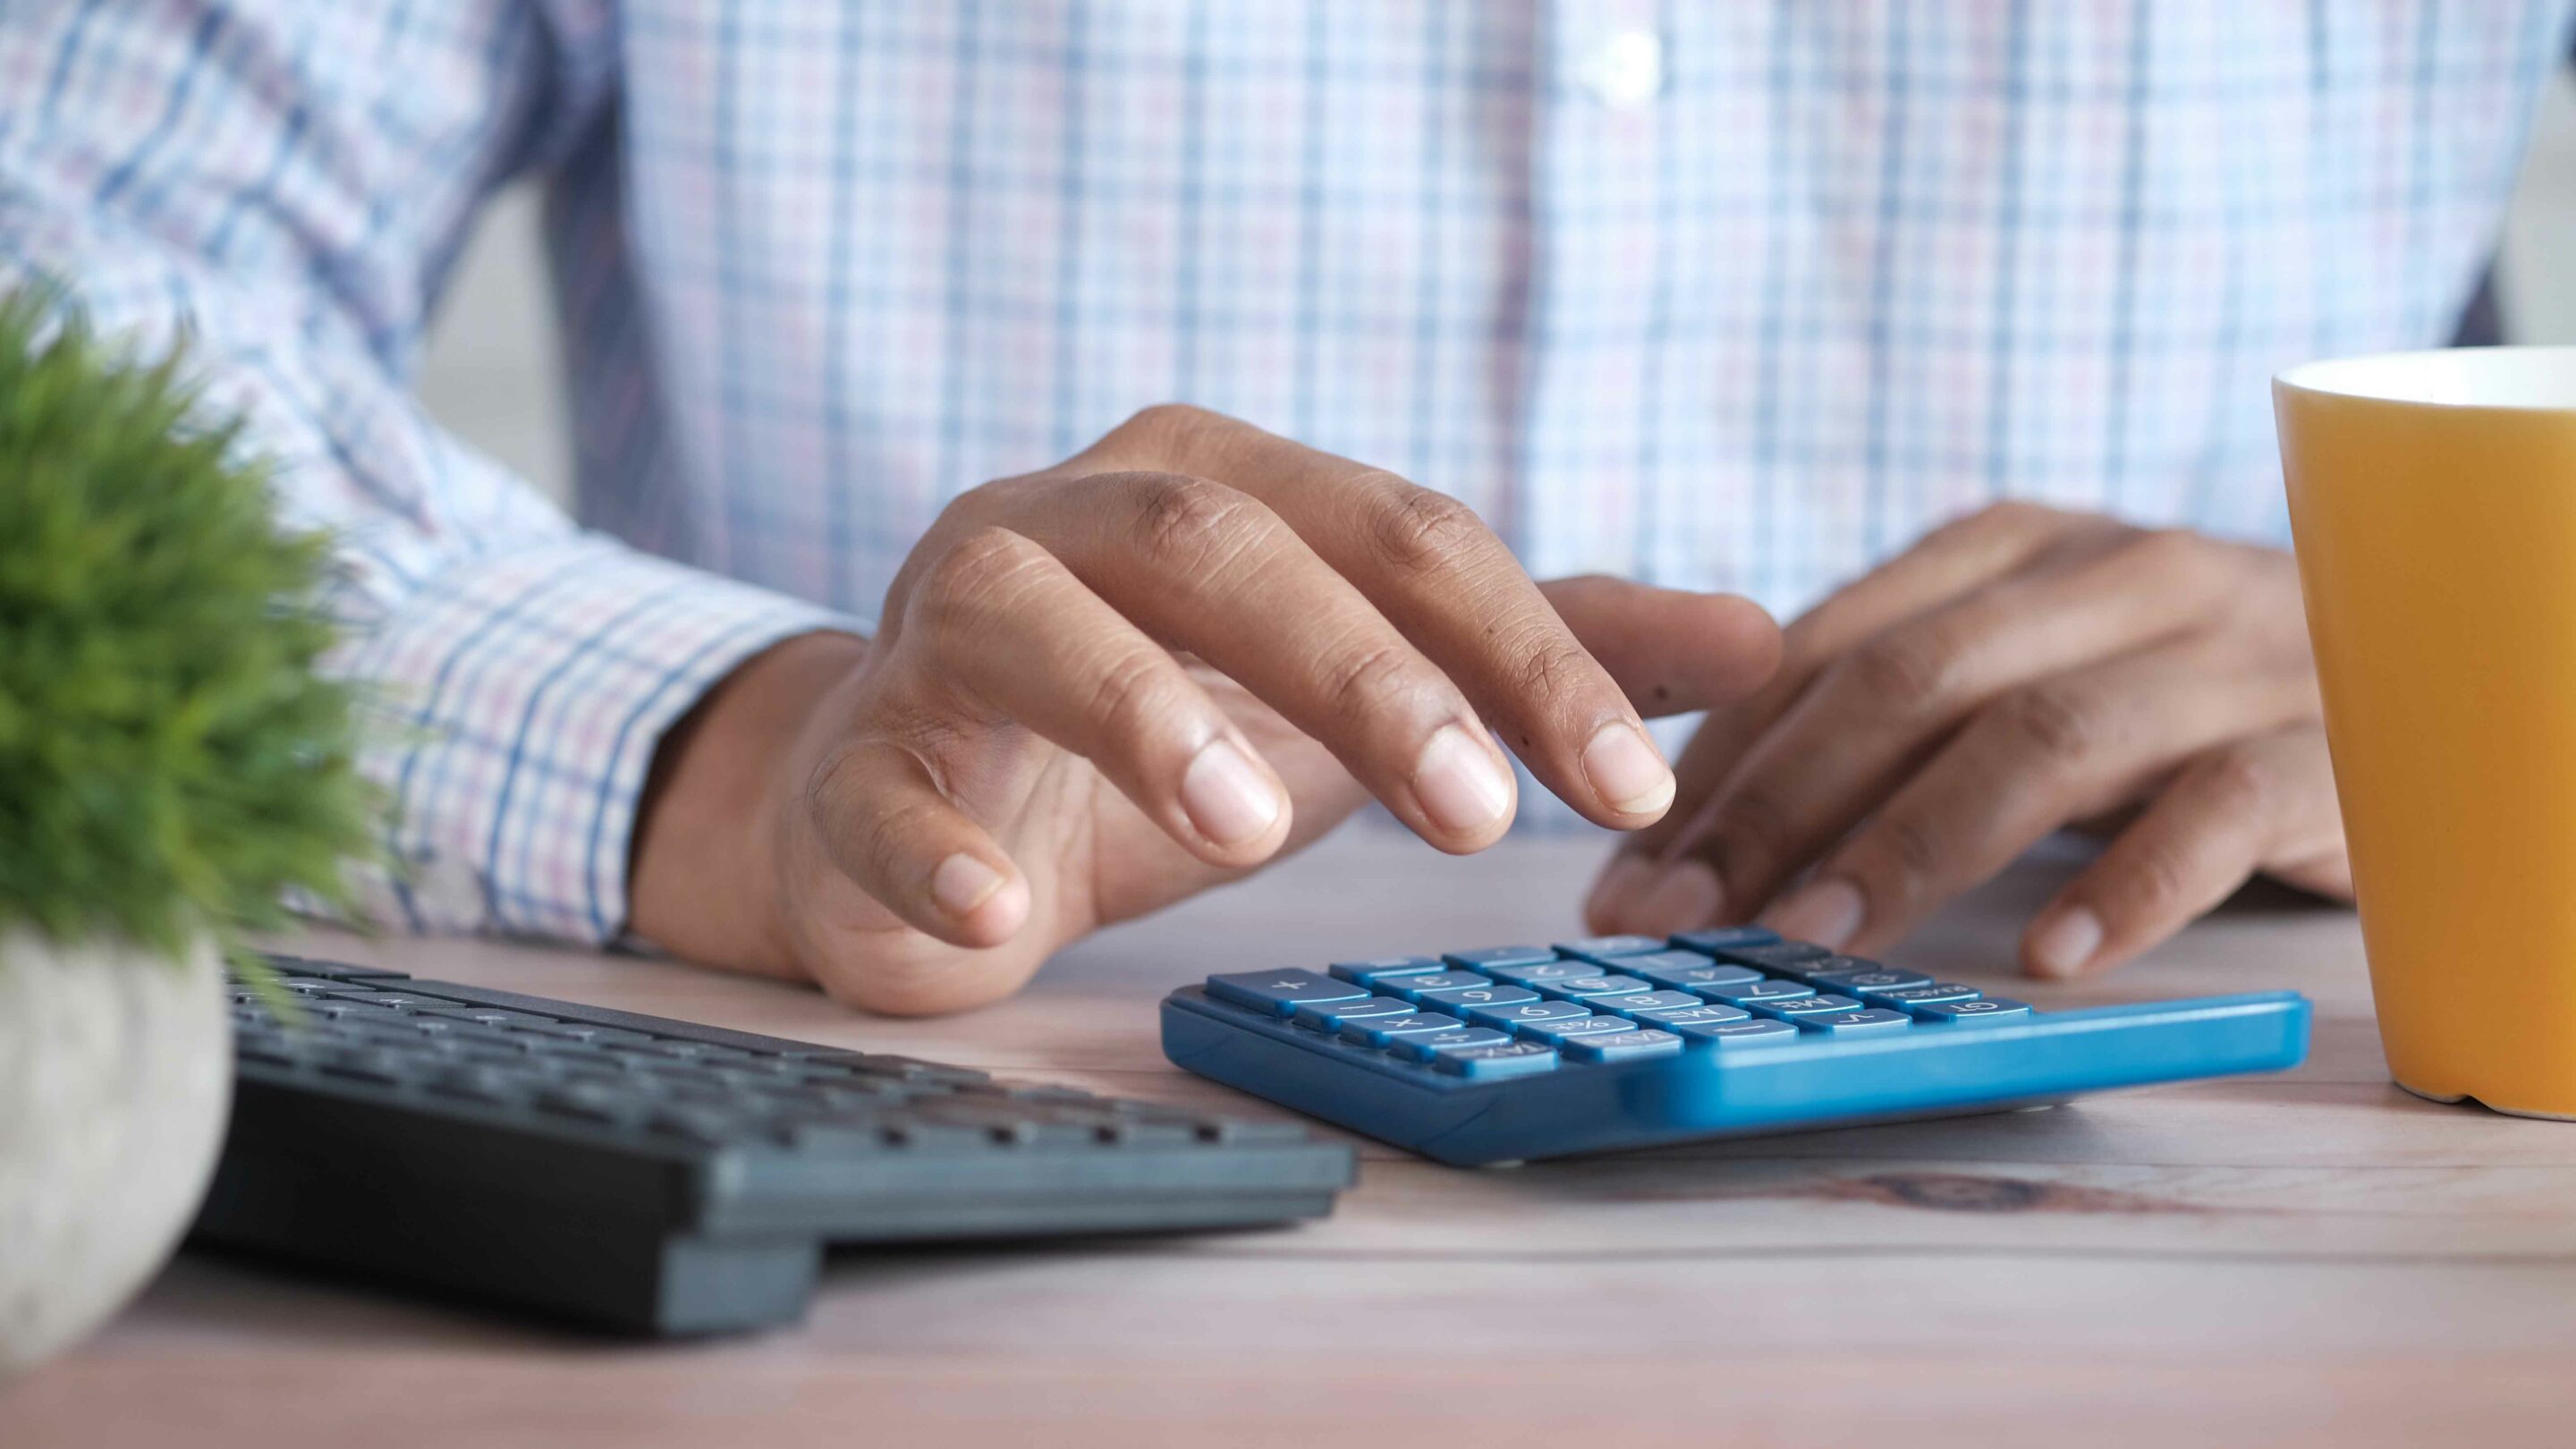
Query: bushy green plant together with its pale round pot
171	767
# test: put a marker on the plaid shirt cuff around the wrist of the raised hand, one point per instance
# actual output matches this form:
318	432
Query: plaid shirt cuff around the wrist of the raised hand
522	700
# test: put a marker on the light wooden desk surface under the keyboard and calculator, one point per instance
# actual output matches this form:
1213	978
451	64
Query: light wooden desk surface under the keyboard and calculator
2309	1259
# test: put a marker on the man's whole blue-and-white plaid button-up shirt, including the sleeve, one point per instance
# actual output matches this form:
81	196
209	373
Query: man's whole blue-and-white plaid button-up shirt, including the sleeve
1714	293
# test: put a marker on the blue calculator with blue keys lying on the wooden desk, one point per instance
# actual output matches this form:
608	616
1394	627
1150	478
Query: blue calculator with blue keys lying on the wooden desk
1519	1053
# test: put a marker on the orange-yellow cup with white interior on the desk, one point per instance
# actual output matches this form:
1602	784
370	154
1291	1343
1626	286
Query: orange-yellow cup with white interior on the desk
2433	499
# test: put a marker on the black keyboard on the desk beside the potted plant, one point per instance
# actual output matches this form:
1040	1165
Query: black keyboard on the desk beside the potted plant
658	1177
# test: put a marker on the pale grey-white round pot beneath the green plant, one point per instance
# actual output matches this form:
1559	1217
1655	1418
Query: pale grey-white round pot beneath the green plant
115	1089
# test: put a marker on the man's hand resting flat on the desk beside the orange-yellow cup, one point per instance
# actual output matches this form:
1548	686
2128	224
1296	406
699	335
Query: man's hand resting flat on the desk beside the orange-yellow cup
2008	677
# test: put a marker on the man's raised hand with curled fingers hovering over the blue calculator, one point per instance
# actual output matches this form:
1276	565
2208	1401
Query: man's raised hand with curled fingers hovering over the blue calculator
1132	677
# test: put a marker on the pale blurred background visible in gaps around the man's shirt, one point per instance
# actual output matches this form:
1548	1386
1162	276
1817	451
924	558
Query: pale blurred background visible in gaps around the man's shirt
491	370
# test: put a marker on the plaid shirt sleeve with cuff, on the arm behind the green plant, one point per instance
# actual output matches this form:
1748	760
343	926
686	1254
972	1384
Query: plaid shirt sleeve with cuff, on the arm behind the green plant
279	184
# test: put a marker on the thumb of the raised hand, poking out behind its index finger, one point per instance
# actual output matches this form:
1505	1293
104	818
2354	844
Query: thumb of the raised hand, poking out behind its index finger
1673	651
